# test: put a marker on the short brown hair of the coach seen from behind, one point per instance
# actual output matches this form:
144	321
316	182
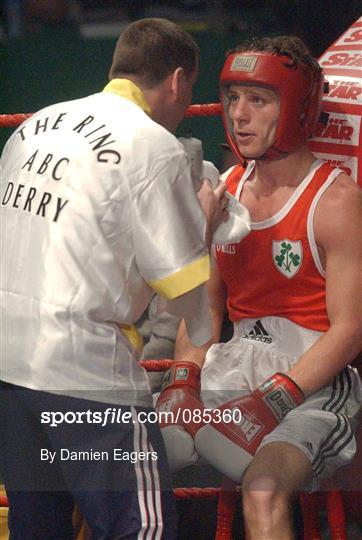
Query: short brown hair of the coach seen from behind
150	49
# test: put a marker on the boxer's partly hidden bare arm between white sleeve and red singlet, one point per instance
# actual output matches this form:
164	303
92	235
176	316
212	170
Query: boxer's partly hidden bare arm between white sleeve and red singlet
217	297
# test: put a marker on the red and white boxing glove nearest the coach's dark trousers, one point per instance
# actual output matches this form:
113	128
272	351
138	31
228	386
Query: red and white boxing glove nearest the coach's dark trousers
177	407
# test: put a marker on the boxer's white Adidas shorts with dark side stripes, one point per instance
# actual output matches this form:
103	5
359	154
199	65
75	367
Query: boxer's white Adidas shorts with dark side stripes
323	426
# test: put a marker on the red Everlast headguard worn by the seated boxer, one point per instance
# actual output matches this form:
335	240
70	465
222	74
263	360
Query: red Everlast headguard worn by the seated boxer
300	93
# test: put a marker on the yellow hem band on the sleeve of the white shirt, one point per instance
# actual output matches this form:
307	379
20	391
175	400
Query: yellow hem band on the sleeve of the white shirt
184	280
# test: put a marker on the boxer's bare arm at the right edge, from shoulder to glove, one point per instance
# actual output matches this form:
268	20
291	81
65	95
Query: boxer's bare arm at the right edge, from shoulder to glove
337	226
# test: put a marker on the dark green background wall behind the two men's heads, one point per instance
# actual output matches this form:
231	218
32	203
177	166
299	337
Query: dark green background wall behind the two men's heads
58	64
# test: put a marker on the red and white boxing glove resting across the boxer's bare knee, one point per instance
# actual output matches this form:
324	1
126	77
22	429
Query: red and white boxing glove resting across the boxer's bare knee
230	441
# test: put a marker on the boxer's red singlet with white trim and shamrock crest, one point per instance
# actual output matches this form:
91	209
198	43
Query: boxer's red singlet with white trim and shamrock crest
275	270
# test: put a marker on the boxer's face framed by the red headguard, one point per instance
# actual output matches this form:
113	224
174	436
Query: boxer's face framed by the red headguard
254	112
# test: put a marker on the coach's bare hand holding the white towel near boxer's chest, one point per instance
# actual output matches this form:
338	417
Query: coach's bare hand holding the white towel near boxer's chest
214	204
